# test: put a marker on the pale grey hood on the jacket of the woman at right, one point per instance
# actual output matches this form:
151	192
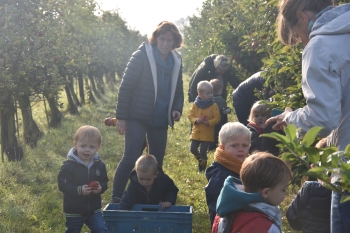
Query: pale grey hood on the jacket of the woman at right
334	21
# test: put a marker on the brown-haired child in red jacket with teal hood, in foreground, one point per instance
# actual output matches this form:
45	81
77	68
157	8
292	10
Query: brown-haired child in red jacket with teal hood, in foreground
253	206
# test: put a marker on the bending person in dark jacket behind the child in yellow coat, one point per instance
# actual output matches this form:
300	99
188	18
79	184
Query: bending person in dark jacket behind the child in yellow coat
213	67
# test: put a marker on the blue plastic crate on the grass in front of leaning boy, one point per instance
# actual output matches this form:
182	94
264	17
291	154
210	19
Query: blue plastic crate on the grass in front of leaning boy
148	218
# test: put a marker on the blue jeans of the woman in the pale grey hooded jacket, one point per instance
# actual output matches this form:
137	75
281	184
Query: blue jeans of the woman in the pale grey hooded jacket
340	215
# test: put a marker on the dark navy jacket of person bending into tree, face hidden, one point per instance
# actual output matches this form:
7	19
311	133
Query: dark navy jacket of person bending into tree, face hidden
243	96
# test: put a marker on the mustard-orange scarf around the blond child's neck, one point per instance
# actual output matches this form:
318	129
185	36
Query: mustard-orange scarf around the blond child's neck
228	161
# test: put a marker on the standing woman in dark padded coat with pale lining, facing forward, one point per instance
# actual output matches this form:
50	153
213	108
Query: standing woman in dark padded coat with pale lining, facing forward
150	99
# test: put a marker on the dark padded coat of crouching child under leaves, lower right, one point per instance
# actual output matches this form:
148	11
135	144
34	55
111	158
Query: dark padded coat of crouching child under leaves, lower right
310	210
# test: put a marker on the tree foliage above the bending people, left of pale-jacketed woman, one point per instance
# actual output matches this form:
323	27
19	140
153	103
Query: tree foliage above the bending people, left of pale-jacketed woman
245	31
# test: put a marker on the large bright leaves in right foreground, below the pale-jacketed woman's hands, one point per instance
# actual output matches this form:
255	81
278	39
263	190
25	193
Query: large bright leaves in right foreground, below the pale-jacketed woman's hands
301	154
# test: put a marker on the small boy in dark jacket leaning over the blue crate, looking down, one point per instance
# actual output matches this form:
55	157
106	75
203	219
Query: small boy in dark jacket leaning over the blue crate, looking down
149	185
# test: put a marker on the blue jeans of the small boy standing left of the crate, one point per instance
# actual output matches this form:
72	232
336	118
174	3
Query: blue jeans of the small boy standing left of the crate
95	223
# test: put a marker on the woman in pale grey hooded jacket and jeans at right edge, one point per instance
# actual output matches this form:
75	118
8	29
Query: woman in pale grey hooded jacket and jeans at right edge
324	30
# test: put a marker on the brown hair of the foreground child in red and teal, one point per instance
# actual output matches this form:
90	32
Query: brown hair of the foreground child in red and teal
263	170
